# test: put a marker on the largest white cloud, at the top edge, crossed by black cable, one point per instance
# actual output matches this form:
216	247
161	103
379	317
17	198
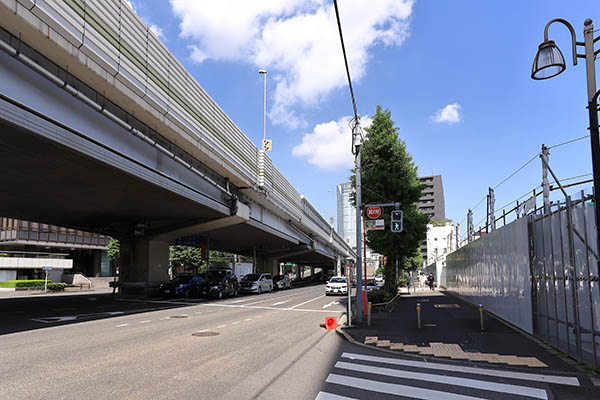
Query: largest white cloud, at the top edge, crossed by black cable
297	41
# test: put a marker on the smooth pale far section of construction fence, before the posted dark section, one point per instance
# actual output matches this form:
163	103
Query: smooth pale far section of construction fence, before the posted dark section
494	271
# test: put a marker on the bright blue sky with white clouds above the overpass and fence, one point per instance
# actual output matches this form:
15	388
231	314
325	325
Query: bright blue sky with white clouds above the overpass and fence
455	75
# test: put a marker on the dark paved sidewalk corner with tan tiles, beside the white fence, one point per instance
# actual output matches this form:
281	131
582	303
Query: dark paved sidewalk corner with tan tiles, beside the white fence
451	330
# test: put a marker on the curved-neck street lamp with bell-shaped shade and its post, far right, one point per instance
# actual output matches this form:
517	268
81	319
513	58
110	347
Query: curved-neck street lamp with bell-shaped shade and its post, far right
549	62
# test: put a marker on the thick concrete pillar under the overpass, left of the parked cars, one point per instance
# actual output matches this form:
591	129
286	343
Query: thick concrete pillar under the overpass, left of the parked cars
143	260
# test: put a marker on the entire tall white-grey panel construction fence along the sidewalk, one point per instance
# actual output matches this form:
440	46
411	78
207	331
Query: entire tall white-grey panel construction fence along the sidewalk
540	273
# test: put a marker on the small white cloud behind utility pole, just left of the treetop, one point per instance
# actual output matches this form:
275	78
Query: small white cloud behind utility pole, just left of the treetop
328	146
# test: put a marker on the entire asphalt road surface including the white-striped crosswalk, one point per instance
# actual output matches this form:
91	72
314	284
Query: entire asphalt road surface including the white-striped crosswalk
268	346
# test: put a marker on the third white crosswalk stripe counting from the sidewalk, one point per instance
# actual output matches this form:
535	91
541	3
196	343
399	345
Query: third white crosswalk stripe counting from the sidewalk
395	389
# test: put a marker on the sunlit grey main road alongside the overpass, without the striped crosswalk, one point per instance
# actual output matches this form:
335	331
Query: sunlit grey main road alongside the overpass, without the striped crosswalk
259	346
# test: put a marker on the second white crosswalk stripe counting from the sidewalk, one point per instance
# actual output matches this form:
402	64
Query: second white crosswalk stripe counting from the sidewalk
450	380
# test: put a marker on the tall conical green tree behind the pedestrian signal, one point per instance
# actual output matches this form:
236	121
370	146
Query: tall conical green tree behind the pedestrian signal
389	174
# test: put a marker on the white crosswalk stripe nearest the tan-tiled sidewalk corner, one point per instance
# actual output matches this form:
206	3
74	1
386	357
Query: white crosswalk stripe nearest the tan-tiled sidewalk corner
556	379
